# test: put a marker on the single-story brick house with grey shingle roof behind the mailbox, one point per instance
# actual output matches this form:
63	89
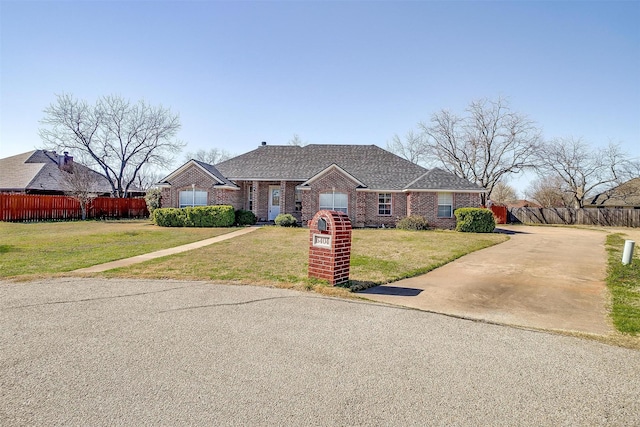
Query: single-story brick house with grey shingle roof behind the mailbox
372	186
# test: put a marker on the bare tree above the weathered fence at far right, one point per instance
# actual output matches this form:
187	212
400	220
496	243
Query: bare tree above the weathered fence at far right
581	169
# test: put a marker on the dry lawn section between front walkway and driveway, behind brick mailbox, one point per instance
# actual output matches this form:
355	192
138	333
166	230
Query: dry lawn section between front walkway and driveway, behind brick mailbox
277	256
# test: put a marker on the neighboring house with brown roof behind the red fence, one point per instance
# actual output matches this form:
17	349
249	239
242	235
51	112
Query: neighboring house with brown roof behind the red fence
41	172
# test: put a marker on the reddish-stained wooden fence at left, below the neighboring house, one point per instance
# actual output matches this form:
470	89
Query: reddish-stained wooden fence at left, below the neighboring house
27	207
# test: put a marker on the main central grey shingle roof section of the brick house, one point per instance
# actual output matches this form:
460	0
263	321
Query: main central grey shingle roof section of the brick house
374	167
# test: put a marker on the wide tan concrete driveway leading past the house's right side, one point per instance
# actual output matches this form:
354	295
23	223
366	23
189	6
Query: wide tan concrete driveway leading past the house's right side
543	277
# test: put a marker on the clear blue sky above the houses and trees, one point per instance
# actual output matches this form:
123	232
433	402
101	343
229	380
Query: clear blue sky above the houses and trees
354	72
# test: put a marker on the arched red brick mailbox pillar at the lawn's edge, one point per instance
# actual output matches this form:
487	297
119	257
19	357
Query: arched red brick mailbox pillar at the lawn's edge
330	246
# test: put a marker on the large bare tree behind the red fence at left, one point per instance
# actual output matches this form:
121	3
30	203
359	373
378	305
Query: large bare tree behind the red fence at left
114	136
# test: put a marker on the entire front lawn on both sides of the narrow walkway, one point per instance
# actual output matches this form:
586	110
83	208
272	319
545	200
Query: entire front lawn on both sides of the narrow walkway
272	256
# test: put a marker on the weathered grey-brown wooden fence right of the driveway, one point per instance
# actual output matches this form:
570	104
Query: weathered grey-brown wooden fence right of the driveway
611	217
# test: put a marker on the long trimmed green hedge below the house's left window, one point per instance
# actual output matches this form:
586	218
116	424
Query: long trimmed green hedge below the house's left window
199	216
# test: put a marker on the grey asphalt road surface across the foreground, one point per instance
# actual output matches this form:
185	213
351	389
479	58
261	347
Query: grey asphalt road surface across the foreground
121	352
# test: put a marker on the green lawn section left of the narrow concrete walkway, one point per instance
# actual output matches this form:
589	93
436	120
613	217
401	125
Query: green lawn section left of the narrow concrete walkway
54	247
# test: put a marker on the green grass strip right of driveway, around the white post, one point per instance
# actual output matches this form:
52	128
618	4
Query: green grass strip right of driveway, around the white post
624	284
